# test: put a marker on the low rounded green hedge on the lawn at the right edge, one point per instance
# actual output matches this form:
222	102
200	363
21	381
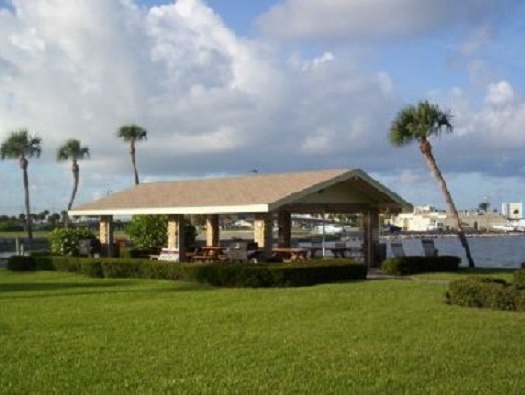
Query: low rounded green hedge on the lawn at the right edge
486	292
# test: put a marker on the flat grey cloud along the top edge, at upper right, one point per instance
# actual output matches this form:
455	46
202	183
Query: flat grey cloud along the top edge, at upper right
378	20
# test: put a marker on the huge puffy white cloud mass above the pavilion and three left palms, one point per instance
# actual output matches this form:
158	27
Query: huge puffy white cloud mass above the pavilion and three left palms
211	101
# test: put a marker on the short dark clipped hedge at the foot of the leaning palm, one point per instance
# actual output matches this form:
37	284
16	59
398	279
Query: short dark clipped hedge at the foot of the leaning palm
420	264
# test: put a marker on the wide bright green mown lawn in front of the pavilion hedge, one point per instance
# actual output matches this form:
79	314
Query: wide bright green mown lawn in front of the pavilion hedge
62	333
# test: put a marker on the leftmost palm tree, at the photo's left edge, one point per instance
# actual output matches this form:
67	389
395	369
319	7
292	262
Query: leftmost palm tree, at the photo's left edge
20	145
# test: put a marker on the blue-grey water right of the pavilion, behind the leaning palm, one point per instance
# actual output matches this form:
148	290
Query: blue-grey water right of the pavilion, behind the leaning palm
493	251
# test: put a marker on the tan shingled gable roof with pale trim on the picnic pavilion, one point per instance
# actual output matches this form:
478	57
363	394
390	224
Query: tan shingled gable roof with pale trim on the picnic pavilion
248	194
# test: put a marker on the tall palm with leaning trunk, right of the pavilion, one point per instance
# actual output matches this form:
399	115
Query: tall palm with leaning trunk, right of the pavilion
419	123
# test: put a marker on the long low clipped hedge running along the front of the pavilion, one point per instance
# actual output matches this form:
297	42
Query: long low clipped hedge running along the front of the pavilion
217	274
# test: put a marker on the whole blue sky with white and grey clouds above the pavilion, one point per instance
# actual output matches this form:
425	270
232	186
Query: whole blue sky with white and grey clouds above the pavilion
224	87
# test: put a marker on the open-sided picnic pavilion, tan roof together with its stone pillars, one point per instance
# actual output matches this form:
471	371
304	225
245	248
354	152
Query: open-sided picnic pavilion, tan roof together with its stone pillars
269	197
